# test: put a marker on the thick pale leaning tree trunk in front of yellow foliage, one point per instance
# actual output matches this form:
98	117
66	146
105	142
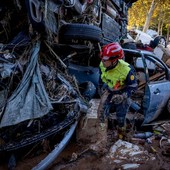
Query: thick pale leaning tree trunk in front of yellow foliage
149	15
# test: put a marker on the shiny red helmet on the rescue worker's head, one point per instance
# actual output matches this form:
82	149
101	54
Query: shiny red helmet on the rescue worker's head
112	52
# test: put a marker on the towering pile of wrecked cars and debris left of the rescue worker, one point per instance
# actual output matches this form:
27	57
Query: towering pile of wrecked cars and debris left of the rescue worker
38	96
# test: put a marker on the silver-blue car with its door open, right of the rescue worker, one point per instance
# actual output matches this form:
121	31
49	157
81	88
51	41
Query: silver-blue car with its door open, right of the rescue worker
154	78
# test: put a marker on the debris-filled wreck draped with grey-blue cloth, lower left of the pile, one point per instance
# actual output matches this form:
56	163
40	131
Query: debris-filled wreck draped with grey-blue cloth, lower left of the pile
39	100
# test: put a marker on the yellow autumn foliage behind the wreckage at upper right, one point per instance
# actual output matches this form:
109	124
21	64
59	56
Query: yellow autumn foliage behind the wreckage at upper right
160	19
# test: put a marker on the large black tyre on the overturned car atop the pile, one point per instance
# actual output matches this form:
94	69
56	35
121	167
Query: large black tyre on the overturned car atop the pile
79	32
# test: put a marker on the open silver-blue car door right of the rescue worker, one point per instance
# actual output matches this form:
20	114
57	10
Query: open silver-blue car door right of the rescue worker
157	92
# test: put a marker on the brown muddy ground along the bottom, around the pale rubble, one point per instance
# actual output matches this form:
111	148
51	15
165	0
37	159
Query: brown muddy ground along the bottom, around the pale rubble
78	155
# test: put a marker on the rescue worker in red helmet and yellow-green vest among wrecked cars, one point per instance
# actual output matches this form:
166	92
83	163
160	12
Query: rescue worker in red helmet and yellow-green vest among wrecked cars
120	82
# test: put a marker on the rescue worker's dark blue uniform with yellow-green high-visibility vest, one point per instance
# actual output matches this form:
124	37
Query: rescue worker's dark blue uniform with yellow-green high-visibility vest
120	82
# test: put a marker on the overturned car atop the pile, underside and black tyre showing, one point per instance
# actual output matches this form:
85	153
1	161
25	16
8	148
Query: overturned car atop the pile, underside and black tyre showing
75	21
